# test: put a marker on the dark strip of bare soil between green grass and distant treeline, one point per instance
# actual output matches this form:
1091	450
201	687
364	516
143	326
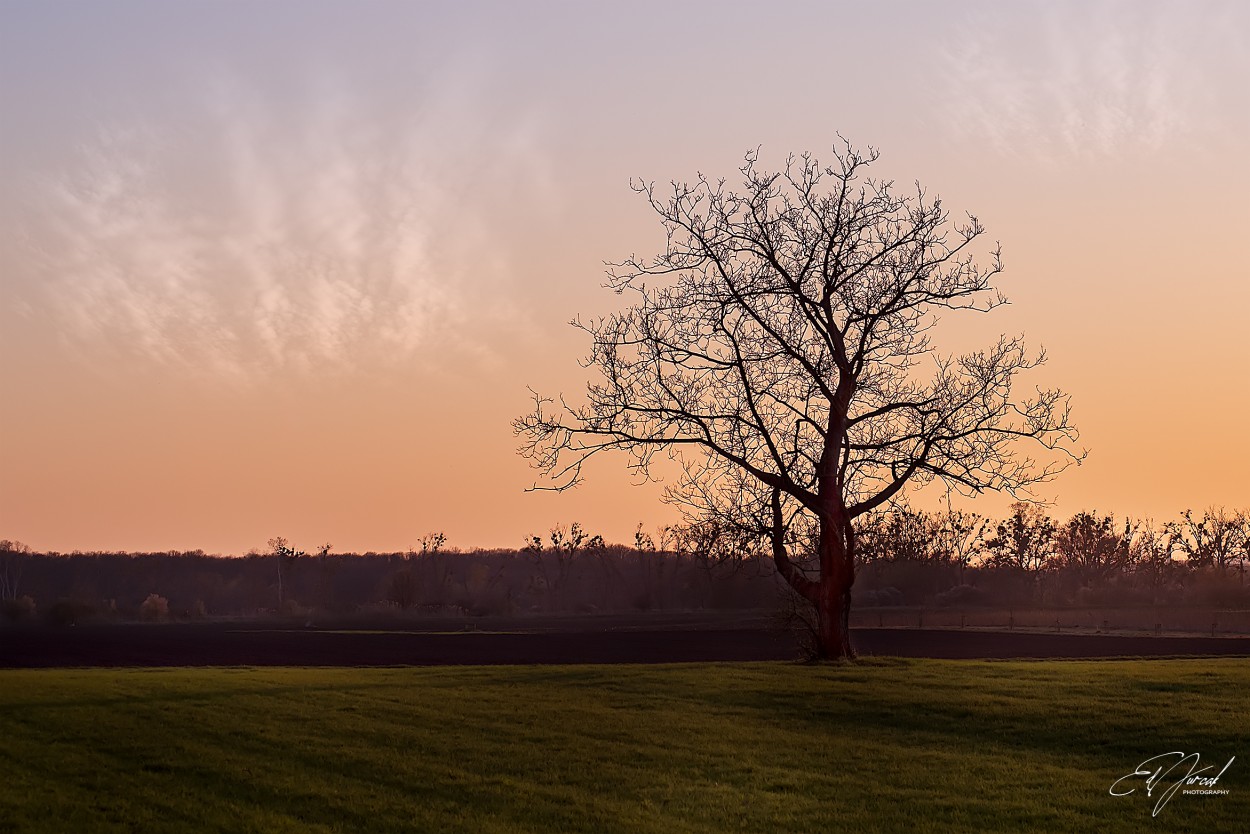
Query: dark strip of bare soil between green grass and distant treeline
552	641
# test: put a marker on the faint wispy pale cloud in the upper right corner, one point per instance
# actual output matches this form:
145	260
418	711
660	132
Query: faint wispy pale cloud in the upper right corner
1092	81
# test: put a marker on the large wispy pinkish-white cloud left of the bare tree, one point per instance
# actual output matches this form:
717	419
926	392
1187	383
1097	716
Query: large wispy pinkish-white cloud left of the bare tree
259	237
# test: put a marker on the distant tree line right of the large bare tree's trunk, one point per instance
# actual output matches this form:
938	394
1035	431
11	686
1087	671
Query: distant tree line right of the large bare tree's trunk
954	558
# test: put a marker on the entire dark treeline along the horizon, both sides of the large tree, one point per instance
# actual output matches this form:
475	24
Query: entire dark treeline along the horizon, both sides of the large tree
907	558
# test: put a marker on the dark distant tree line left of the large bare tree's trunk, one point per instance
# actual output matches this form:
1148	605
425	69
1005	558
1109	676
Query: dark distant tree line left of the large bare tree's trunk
567	571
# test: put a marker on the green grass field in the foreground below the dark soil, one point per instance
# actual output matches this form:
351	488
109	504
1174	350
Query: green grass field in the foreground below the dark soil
883	746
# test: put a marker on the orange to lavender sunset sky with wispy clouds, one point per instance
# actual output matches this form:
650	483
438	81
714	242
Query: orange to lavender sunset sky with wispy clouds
289	268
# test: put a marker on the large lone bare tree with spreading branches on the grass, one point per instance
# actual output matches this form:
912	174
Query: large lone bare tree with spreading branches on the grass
774	349
